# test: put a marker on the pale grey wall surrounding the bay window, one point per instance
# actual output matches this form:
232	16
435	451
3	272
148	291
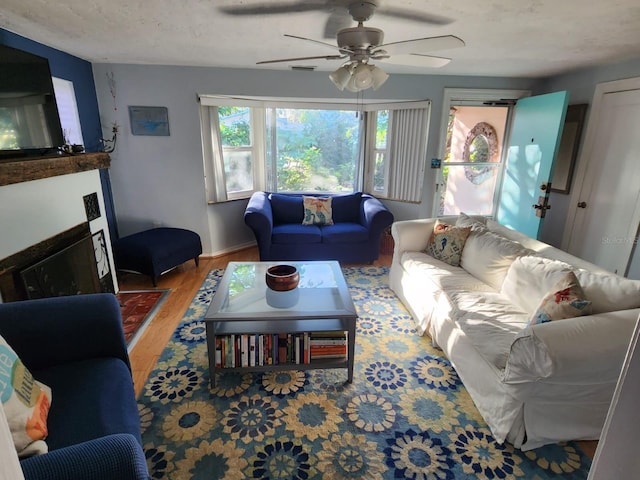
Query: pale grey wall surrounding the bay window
158	180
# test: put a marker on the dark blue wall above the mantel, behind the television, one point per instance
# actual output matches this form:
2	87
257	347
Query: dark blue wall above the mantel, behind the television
75	70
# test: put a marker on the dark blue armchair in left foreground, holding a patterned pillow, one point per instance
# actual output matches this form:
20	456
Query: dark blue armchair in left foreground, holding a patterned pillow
76	346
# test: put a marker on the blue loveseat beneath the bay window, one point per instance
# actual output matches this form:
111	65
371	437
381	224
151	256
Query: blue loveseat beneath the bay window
276	220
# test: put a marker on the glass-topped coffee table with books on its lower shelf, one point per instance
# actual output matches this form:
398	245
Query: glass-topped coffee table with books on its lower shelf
243	306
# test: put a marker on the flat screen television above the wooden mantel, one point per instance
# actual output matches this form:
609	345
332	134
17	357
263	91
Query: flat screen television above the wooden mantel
29	120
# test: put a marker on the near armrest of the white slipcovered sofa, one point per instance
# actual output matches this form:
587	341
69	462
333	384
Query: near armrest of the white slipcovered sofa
580	350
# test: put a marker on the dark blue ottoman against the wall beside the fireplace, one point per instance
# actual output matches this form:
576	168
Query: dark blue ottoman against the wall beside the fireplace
156	251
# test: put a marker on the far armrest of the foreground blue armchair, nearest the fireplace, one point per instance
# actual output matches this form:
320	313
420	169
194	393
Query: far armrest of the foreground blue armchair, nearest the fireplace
58	330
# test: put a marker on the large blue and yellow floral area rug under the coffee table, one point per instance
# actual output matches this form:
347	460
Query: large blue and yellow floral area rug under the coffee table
406	414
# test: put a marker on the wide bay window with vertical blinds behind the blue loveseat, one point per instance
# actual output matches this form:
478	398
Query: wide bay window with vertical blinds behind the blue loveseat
284	146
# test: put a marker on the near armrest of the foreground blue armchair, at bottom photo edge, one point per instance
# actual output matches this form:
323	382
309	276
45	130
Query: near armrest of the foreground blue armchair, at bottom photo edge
117	456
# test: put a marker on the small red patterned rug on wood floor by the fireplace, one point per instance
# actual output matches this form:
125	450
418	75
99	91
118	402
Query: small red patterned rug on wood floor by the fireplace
138	308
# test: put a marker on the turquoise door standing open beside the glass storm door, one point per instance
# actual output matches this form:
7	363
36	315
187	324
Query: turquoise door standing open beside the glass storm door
533	146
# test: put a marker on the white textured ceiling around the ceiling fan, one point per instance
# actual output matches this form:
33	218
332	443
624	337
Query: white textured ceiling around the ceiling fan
525	38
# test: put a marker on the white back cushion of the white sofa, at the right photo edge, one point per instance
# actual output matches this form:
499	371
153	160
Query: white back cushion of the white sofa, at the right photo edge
609	292
